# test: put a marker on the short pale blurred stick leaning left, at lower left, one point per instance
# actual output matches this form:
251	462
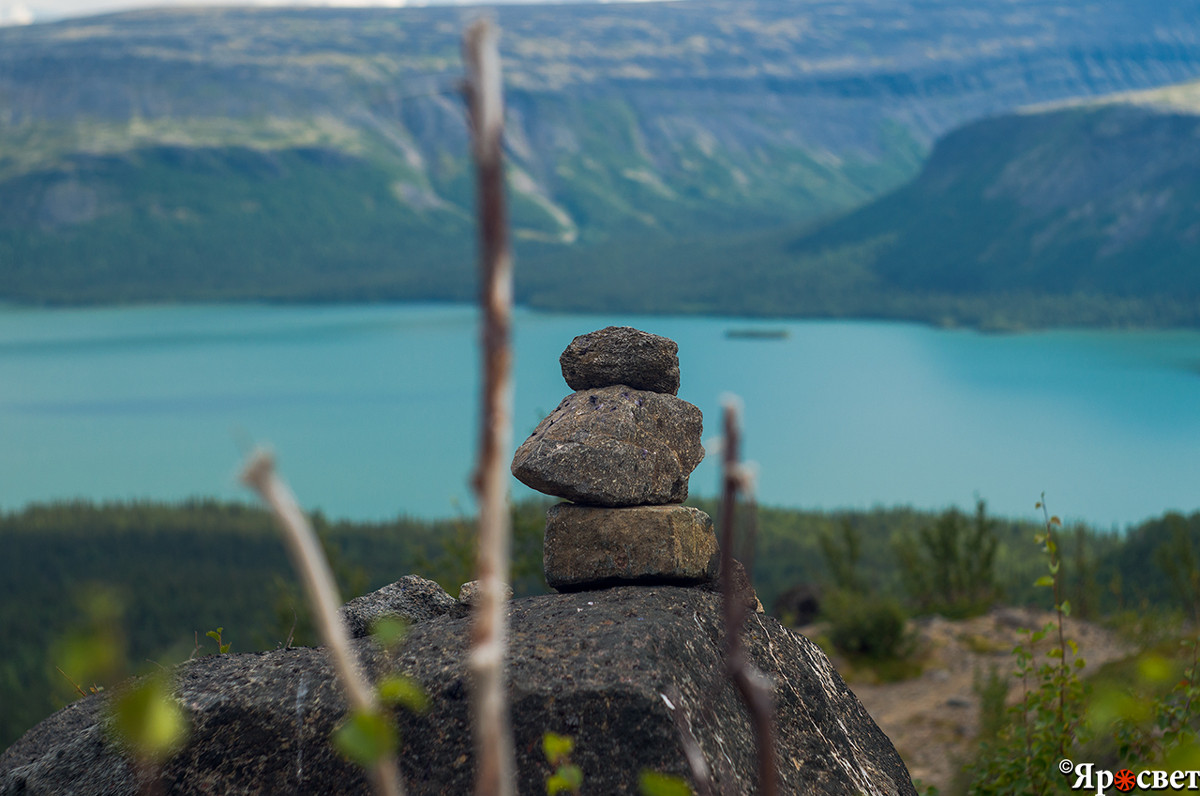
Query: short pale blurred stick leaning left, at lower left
319	583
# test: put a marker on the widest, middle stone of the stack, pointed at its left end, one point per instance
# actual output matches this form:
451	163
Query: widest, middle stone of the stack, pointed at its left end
614	446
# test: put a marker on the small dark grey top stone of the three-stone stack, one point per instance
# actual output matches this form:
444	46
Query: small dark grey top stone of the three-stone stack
622	356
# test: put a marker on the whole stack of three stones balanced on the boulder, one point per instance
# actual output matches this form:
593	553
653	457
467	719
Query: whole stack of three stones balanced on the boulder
621	448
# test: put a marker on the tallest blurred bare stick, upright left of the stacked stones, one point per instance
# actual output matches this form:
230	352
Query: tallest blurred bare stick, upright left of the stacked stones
494	735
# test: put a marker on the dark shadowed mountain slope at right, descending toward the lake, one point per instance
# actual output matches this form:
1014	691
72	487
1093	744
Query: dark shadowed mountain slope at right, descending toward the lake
1083	205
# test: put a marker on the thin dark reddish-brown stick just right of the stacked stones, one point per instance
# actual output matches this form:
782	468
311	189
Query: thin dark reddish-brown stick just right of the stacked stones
752	685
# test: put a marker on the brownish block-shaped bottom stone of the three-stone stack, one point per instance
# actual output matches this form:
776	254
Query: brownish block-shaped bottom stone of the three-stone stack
589	547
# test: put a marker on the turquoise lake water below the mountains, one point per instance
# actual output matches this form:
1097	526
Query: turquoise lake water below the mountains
373	410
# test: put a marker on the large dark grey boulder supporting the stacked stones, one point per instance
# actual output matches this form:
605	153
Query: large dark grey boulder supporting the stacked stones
599	667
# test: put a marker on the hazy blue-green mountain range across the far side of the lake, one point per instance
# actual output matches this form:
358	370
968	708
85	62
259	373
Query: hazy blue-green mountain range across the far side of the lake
694	157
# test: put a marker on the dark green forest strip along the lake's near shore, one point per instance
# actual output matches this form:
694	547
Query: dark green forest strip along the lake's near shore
179	571
